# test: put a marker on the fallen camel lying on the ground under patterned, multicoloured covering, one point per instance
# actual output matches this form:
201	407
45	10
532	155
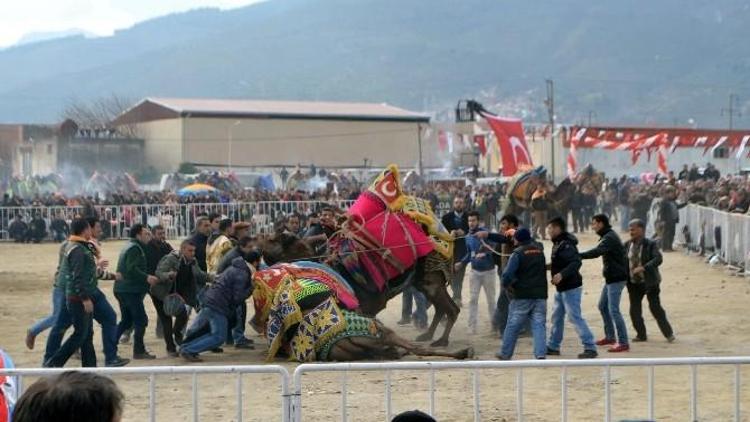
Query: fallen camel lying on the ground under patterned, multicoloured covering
308	312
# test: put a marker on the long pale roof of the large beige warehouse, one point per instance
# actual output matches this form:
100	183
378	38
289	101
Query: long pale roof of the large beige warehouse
164	108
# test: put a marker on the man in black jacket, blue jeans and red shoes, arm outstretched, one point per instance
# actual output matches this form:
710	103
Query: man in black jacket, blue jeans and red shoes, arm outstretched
616	274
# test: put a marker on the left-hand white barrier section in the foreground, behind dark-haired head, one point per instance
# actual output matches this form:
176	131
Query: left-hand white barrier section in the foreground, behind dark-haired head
194	371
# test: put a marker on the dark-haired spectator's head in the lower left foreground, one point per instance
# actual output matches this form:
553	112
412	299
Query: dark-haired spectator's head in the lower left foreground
71	397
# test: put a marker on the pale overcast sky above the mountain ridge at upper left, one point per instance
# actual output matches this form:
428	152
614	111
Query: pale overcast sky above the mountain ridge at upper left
101	17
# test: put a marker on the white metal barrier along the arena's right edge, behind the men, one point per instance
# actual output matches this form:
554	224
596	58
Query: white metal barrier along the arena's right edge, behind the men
727	234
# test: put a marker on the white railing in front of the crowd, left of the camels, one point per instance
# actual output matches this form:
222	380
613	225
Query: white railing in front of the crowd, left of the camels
177	219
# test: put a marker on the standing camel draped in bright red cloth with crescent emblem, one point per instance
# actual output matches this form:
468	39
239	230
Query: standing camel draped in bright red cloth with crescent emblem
387	242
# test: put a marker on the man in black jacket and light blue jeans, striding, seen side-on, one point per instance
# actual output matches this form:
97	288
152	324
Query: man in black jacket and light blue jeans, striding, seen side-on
567	279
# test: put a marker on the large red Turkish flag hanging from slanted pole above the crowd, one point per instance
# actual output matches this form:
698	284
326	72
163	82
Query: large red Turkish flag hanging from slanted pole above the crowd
512	142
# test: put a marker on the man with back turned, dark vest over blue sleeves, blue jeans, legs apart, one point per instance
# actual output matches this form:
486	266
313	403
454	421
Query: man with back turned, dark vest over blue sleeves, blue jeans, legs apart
525	277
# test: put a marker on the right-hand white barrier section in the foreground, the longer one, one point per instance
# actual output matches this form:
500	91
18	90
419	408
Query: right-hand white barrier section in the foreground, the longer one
432	367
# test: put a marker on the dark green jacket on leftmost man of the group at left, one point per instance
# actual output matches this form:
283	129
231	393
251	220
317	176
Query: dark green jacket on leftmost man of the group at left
77	273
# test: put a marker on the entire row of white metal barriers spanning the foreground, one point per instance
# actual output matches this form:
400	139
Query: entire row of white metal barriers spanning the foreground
292	389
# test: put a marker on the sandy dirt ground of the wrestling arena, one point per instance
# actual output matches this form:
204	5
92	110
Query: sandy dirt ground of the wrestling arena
707	307
